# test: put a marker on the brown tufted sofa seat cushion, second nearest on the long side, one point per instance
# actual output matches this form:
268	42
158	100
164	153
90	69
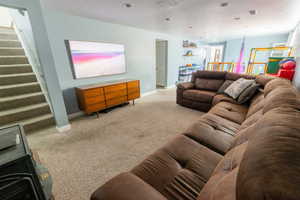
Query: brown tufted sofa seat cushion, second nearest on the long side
214	132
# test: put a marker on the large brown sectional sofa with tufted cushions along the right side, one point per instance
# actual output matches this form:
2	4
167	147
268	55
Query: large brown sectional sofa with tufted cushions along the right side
233	152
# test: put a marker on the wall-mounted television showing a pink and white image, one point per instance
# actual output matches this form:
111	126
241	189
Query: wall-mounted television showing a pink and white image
91	59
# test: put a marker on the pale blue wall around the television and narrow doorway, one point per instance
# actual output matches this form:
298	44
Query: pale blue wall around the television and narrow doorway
139	44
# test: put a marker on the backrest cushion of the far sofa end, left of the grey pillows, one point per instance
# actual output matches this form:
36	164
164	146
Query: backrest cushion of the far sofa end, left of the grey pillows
208	84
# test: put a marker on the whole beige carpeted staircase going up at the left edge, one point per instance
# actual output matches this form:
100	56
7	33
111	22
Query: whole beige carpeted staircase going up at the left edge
21	98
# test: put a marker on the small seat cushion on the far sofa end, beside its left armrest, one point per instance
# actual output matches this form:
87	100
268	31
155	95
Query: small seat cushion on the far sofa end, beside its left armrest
199	95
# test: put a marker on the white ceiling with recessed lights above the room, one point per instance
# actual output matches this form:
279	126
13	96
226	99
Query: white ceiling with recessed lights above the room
201	19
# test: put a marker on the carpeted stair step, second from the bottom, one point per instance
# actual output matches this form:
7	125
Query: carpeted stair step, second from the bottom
23	113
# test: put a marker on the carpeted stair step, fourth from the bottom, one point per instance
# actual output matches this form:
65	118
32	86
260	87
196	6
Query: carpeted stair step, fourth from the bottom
19	89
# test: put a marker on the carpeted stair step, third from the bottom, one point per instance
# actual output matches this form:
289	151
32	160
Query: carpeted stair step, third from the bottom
21	100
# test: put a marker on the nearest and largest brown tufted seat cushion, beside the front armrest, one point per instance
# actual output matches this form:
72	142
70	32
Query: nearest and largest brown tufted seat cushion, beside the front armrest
180	169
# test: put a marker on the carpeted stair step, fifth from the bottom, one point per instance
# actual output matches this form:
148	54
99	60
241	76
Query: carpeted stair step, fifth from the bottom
11	79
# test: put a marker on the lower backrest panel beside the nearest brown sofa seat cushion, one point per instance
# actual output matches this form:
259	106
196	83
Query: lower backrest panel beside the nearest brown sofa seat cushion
222	183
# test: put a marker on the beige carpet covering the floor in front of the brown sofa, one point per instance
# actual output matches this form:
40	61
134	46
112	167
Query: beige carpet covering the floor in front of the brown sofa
95	150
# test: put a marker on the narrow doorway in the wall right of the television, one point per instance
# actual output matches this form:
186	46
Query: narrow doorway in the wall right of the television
161	63
